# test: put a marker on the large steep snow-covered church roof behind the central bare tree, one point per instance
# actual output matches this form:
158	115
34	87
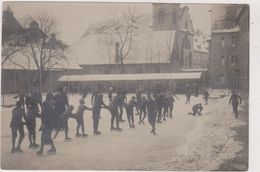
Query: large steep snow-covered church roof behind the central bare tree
97	46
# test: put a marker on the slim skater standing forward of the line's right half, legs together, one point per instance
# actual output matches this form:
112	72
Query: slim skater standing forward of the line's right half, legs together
152	111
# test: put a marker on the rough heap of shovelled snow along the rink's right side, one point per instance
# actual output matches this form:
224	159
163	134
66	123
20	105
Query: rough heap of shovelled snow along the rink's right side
211	143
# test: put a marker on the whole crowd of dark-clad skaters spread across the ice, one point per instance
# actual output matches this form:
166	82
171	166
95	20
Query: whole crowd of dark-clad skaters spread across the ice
55	112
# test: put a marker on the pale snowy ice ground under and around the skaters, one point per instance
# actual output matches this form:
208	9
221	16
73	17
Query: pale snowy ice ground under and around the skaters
182	143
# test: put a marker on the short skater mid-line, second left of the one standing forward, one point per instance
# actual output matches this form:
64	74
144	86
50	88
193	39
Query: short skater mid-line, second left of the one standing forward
130	111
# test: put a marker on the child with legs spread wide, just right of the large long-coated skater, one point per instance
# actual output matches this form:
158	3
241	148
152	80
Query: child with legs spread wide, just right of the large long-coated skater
64	118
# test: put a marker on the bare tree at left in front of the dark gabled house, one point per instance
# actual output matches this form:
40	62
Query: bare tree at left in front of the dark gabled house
44	50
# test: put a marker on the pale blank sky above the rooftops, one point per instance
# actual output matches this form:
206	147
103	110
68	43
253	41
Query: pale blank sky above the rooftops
74	18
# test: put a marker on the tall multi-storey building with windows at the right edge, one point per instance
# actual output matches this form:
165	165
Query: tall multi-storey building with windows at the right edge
228	63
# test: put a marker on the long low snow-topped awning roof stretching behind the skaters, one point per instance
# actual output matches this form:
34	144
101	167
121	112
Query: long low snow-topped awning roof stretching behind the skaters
132	77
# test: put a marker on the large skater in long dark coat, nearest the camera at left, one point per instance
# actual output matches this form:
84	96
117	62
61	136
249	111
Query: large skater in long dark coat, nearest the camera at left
48	122
